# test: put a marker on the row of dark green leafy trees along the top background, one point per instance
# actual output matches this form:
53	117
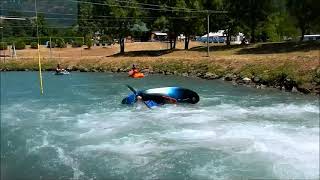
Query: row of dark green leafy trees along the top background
259	20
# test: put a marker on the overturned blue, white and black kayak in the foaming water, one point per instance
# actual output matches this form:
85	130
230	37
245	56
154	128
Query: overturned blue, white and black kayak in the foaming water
164	95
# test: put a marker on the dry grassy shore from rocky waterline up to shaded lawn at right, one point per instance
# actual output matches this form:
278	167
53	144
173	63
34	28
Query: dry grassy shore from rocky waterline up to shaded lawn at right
293	67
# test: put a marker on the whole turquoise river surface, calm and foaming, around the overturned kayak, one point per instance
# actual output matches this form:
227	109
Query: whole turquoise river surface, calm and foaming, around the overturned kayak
79	130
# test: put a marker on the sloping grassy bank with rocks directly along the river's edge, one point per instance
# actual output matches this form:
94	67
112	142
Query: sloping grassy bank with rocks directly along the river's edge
301	74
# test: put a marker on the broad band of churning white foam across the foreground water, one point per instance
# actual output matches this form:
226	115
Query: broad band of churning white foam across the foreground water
141	134
